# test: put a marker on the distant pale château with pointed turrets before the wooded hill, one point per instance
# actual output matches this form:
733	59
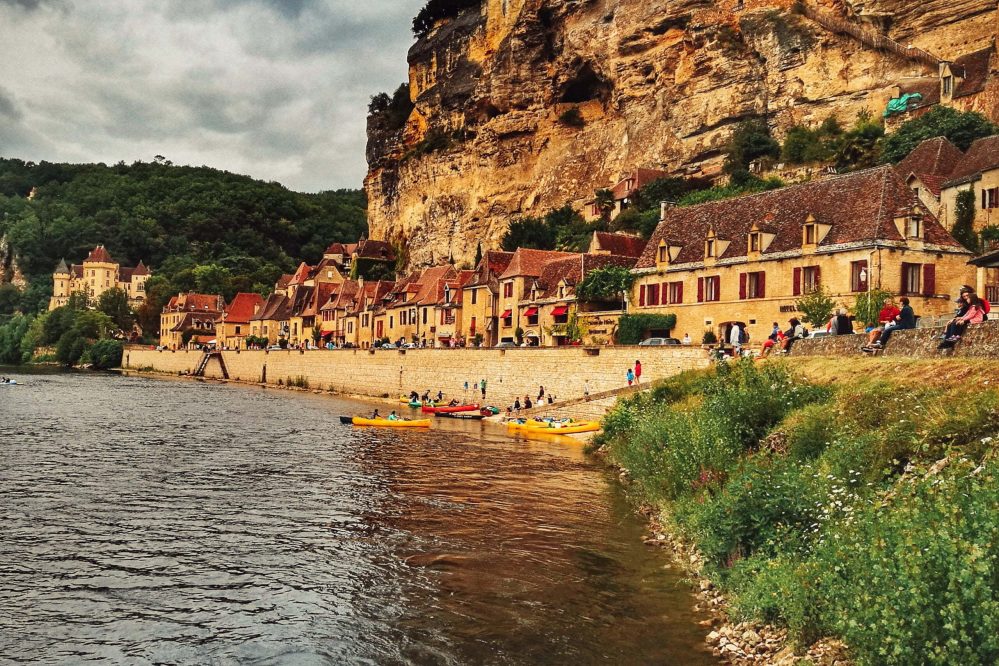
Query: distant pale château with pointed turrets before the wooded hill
97	274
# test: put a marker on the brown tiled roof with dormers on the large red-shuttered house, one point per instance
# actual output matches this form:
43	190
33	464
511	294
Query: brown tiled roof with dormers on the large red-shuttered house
860	207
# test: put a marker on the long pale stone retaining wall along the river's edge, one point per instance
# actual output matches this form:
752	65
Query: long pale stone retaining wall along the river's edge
509	373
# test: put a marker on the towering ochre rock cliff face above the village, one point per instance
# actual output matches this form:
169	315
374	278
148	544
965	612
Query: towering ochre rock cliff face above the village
658	83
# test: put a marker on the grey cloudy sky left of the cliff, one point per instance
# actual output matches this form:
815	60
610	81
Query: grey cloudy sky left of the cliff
277	89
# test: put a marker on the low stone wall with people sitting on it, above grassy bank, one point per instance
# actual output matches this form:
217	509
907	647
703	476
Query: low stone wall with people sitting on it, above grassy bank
979	341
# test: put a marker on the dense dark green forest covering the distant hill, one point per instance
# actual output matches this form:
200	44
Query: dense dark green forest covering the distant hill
174	219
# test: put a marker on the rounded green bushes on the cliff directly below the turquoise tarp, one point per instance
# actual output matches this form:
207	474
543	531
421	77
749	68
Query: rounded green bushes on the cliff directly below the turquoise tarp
960	127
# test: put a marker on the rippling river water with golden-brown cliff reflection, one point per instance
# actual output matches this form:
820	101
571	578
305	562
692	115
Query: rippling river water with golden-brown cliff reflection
173	522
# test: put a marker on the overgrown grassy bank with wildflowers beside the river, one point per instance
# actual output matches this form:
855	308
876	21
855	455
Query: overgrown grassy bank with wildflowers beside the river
857	501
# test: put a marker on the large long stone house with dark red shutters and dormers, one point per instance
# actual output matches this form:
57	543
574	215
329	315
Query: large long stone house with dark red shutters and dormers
749	259
